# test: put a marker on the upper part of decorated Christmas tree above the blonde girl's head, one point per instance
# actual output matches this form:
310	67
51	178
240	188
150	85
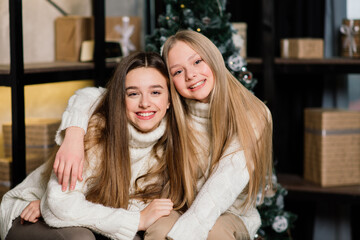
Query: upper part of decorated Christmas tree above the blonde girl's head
209	18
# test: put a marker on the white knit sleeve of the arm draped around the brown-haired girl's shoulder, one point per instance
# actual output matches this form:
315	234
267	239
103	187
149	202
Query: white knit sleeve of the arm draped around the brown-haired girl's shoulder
79	109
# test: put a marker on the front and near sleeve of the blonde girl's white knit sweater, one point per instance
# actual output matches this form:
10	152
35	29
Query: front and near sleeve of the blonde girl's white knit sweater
221	191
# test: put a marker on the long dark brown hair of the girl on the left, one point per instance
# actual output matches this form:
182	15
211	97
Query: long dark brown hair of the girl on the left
107	135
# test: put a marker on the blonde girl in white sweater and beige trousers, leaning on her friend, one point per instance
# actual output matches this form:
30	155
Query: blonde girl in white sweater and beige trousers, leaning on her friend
225	141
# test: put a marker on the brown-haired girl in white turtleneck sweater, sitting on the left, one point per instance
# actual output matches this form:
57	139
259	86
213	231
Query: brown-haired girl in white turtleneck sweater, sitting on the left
128	151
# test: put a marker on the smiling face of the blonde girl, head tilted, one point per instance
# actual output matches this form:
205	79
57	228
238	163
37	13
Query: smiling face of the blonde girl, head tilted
192	76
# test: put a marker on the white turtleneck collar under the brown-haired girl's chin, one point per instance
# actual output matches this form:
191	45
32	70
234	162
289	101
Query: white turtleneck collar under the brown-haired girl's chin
144	140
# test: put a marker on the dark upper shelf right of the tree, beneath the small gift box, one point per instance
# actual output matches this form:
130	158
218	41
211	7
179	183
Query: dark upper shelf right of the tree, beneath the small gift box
309	66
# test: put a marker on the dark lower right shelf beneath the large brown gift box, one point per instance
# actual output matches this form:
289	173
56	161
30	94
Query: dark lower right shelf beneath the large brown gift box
300	189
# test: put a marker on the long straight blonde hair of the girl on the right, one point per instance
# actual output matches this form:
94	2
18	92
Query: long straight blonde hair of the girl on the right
234	112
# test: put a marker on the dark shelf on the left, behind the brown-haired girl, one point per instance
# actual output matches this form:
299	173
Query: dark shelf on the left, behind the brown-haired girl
37	73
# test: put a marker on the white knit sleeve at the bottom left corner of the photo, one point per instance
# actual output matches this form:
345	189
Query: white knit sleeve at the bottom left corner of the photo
15	200
